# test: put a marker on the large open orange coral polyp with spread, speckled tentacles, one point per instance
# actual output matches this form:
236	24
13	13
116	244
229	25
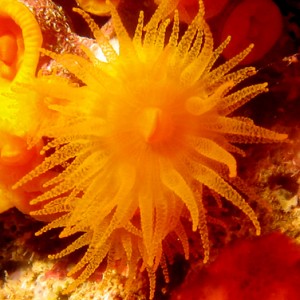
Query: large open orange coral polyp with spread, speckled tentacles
139	140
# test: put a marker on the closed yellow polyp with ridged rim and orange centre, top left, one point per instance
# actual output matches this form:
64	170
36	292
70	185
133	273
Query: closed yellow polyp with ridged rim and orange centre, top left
20	39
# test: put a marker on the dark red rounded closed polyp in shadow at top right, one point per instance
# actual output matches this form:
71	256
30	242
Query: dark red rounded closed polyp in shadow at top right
249	23
